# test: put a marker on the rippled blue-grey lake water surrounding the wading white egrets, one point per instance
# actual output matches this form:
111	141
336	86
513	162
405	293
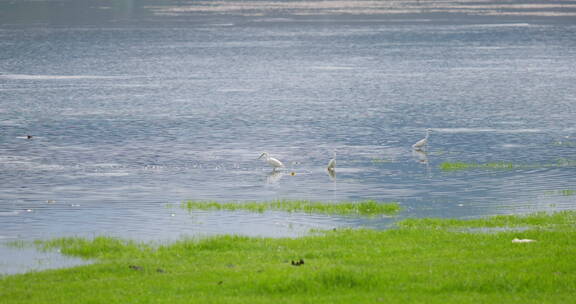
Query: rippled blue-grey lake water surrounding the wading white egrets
134	113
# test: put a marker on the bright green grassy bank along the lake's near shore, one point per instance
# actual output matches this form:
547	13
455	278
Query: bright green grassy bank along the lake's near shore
422	261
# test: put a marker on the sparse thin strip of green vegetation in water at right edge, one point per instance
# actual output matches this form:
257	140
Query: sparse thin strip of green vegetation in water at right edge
455	166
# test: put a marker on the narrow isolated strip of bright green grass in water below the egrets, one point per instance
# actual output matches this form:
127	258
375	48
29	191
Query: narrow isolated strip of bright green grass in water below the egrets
363	208
